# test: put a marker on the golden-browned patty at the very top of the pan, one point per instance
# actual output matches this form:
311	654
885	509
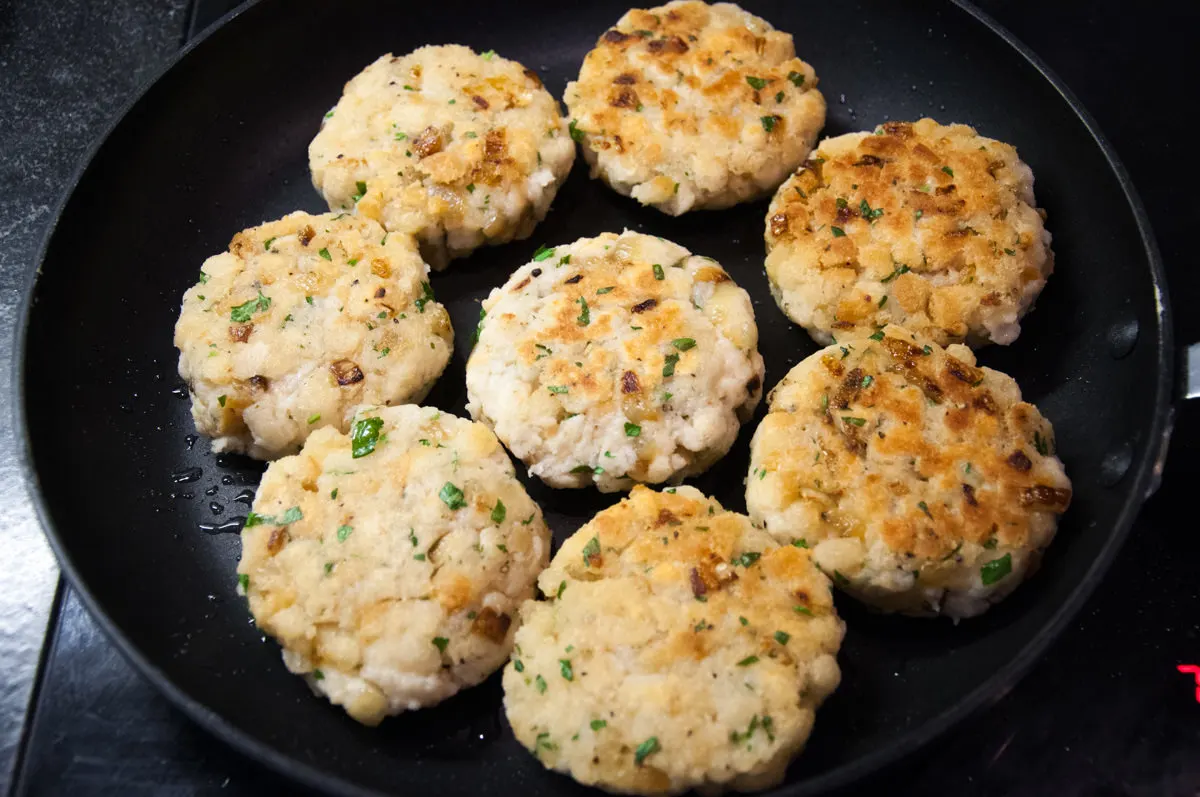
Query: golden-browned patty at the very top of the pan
692	106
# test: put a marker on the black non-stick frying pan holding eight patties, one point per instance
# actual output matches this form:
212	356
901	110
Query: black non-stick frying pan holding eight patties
143	517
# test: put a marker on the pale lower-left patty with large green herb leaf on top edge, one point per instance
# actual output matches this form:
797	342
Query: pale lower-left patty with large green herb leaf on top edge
388	590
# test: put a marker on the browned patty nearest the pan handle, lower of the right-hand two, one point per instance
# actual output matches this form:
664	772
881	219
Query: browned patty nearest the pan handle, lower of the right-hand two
923	484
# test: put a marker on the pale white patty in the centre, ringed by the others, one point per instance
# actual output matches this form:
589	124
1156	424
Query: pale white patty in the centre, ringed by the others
616	359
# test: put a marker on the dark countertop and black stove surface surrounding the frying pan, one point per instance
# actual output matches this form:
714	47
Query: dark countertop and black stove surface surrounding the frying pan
1105	714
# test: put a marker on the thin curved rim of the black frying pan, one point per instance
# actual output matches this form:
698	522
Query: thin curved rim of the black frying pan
1144	475
